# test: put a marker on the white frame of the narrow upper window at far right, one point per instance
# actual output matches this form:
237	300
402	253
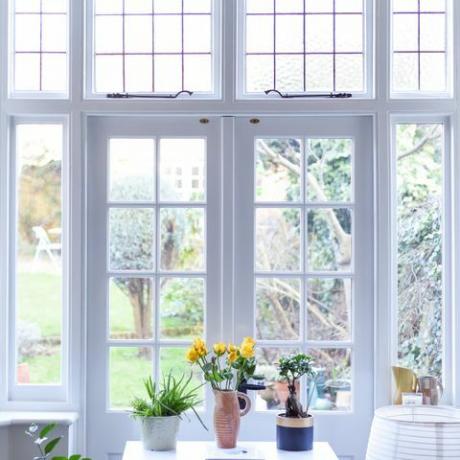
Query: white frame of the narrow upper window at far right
450	59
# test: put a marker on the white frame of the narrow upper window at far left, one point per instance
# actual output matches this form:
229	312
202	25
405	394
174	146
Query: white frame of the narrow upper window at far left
43	95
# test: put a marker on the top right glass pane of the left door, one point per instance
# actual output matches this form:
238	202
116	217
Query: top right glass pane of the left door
183	169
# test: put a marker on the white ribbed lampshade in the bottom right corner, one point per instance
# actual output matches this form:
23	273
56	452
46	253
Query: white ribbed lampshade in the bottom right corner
414	433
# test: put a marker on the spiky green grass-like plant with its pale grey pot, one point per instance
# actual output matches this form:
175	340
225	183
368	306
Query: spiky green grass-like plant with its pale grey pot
161	411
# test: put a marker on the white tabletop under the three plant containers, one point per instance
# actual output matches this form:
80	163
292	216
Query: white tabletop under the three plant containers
197	450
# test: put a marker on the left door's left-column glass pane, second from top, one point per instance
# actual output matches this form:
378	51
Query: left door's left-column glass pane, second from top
131	239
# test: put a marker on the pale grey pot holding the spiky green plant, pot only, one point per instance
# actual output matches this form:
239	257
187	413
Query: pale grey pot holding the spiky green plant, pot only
160	433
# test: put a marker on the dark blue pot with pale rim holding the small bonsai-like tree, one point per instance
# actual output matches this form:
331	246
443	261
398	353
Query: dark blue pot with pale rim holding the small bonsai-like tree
294	434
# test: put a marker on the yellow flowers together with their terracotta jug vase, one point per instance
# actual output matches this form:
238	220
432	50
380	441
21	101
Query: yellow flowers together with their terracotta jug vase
225	368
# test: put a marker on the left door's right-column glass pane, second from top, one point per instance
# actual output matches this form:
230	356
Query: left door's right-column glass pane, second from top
182	239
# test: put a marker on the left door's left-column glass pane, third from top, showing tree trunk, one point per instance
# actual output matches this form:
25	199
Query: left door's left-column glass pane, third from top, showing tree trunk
131	308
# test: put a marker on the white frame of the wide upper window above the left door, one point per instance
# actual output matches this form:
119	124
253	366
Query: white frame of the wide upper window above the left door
216	46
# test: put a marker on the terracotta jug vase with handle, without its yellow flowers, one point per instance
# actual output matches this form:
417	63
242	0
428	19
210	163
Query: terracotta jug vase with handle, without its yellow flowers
227	416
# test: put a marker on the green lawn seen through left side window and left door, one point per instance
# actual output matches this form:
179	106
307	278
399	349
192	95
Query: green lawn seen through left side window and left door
39	303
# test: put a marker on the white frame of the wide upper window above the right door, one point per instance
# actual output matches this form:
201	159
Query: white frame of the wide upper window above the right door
368	57
